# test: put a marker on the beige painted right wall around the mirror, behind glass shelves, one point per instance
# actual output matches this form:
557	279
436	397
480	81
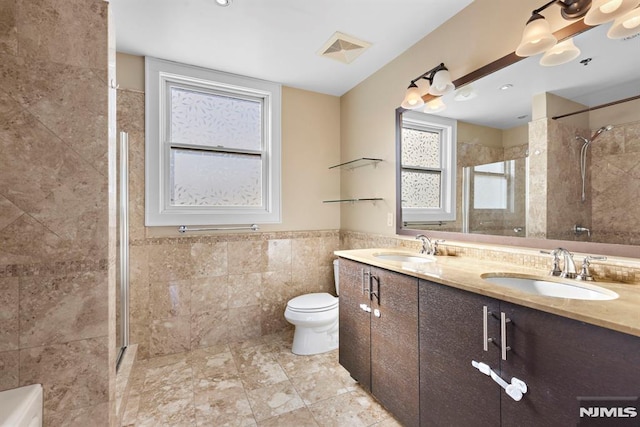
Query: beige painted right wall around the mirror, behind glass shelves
481	33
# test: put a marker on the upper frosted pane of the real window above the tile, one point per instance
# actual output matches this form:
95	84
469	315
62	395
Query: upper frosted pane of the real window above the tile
214	120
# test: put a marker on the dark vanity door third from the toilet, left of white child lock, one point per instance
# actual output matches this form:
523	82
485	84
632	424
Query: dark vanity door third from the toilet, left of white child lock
452	391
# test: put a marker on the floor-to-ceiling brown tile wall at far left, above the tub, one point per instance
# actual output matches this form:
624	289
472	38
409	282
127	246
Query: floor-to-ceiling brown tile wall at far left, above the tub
54	205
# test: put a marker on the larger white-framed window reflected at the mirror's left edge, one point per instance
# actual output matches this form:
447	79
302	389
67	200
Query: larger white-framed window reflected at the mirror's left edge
427	167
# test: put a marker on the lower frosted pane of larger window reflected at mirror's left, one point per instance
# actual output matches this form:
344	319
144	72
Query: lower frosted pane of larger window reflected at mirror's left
420	189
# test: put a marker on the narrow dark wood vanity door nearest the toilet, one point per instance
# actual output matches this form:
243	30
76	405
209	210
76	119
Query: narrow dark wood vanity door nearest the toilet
354	325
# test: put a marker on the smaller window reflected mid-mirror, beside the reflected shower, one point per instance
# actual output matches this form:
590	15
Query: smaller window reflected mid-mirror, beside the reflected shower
491	188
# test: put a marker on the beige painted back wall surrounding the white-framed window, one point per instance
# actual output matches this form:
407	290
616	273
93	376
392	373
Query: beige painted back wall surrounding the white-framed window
310	144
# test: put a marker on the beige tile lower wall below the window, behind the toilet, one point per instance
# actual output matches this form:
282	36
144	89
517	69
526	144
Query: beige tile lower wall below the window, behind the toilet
194	292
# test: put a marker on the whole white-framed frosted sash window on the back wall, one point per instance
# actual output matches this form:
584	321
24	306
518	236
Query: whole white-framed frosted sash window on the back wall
212	147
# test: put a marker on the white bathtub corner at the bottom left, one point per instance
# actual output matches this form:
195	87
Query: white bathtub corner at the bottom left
21	407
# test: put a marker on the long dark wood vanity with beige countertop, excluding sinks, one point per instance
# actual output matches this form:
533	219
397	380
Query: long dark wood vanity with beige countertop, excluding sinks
409	332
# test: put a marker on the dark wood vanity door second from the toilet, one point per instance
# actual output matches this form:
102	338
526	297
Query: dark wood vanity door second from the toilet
394	344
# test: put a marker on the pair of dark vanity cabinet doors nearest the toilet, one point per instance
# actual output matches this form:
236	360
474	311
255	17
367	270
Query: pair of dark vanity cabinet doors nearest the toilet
379	335
